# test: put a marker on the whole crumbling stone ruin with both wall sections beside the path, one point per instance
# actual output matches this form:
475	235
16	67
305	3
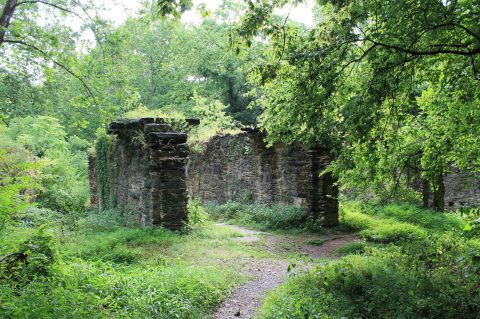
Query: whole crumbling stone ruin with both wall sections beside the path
149	174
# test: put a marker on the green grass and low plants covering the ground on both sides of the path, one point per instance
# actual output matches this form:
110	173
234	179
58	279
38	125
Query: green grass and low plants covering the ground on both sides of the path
410	264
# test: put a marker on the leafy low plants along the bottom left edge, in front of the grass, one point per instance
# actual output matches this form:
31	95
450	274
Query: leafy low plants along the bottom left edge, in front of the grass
97	290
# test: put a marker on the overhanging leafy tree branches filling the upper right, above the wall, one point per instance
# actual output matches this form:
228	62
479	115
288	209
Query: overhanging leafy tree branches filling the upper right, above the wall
386	88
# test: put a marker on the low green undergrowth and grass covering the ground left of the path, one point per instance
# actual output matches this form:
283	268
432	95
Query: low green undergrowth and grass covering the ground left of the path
102	269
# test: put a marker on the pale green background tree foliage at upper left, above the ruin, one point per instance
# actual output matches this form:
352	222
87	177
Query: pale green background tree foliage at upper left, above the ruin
159	63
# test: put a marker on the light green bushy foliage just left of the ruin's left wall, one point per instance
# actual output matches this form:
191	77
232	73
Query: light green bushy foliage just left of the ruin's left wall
64	174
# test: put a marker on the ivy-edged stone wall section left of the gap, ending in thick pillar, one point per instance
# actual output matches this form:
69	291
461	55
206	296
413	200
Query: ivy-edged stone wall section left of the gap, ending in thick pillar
146	172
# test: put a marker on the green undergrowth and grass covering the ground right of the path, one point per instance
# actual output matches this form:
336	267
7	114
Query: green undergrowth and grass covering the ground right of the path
412	263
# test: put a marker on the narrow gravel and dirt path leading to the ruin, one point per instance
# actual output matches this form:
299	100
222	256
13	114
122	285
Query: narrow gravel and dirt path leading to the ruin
269	273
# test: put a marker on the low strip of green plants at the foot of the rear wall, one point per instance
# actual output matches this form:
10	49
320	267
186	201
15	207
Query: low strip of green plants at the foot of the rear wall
265	217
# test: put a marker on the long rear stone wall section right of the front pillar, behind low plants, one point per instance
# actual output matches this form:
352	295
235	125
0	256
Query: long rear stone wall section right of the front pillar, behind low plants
241	166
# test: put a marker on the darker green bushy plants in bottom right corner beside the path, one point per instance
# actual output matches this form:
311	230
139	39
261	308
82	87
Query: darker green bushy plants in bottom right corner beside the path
385	283
